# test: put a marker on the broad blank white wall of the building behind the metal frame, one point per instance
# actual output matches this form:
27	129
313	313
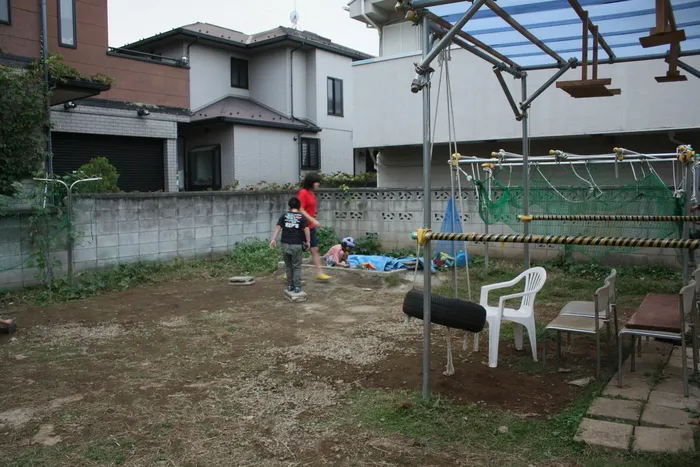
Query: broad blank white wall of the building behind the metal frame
388	114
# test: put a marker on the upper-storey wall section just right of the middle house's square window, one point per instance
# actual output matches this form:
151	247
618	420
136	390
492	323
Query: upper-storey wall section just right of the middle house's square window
269	79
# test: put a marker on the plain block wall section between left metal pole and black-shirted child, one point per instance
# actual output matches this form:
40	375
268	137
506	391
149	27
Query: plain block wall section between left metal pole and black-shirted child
159	227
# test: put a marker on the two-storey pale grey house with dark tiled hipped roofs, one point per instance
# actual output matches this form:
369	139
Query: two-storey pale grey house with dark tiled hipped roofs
264	107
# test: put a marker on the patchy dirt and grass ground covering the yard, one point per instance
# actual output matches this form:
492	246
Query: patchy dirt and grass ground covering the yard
169	375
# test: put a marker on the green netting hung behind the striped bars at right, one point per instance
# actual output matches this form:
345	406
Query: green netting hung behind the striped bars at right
576	190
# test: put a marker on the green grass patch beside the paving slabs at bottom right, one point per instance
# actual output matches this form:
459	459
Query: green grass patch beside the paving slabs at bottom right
509	439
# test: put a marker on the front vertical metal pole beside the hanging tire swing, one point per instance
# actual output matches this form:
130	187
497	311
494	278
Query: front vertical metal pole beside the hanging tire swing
427	221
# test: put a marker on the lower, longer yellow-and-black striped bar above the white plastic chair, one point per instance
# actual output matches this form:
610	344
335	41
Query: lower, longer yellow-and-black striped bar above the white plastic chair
564	240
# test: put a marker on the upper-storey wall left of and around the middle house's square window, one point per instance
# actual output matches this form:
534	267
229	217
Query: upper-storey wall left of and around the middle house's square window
210	76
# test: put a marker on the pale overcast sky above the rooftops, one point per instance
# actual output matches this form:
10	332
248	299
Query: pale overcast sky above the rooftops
131	20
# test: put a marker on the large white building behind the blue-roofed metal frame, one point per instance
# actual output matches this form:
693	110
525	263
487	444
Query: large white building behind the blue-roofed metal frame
647	116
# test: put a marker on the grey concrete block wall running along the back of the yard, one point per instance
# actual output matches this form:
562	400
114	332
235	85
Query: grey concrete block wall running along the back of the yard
117	229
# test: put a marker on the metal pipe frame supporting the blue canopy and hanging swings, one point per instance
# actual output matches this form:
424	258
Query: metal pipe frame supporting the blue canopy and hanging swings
435	26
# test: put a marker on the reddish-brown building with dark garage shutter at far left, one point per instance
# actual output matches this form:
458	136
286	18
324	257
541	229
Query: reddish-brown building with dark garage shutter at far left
133	122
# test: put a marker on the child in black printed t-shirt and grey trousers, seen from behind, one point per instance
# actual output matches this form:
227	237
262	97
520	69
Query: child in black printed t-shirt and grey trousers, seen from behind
295	235
